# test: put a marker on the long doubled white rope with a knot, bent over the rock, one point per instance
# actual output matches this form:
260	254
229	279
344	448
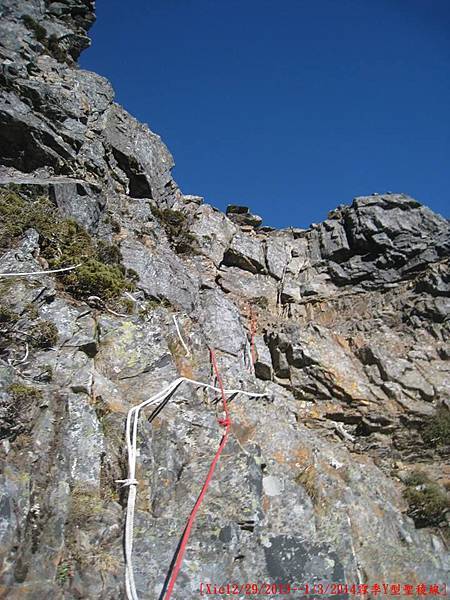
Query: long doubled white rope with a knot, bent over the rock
131	481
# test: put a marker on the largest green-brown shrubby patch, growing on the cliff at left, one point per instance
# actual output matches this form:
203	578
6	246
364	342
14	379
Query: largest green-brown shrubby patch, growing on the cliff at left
65	243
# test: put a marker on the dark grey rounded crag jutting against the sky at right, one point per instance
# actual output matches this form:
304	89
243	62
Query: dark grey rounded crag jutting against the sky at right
386	238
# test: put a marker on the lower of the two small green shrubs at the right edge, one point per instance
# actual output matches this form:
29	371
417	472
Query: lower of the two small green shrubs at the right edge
427	502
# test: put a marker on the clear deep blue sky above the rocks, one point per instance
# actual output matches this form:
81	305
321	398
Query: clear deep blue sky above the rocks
288	106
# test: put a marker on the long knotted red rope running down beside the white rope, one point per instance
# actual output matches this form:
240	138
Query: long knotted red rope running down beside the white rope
190	522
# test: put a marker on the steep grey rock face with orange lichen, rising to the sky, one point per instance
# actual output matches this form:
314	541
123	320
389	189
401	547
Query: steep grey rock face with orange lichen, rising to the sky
347	322
